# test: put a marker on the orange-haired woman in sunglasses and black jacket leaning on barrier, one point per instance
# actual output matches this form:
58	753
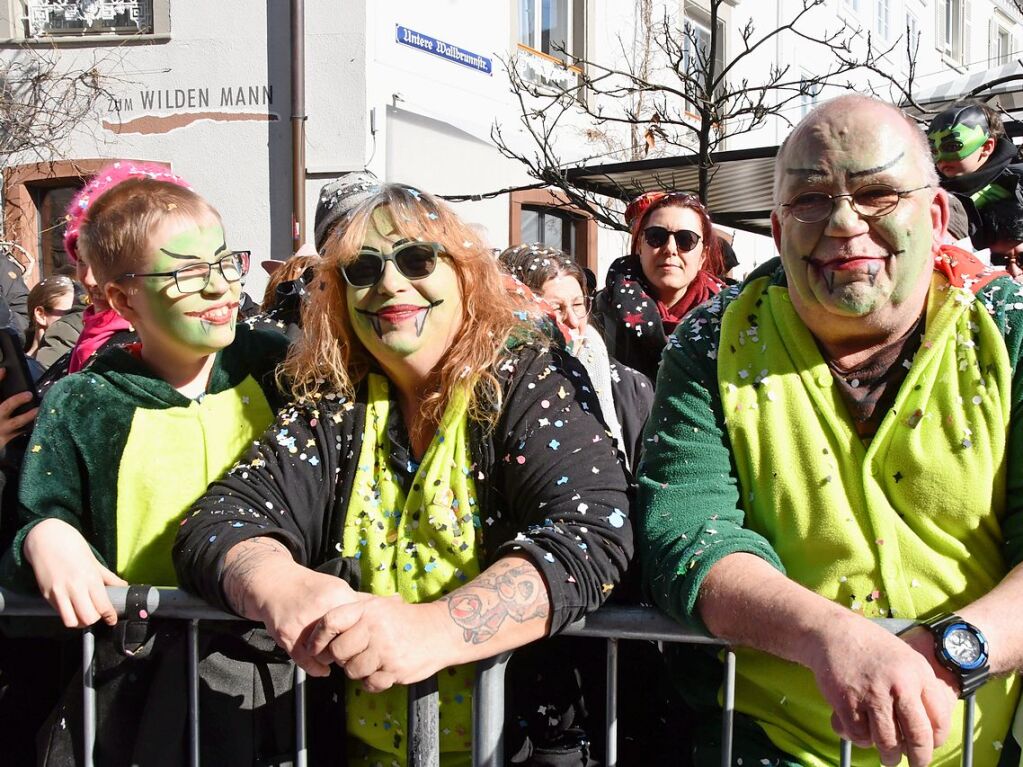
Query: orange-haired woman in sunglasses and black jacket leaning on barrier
441	460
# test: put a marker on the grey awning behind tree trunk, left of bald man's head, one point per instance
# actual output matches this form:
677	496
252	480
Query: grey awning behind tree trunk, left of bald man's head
739	195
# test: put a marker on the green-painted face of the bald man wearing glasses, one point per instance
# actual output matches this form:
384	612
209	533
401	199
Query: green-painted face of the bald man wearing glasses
848	265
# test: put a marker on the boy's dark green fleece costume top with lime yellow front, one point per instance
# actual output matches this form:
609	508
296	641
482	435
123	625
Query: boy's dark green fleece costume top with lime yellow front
127	479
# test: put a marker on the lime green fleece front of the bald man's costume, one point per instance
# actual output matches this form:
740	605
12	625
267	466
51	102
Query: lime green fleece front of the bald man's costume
859	525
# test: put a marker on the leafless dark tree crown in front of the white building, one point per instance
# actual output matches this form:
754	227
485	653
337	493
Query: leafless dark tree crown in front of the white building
674	92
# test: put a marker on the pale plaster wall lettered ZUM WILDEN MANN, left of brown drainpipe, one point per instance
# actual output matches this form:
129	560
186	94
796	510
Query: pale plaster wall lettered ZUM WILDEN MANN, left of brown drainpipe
243	168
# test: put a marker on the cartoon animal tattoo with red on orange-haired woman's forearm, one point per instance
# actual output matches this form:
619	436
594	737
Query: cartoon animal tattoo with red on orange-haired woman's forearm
481	608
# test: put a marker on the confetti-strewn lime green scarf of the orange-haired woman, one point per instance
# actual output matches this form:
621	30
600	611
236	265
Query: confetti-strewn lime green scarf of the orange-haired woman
421	548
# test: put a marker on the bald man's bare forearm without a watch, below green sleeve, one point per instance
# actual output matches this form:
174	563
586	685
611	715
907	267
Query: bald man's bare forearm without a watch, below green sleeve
749	603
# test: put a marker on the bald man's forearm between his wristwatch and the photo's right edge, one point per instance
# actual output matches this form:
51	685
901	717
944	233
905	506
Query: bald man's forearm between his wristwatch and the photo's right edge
1000	619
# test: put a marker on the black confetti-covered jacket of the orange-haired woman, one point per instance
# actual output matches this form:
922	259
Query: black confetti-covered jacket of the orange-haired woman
549	480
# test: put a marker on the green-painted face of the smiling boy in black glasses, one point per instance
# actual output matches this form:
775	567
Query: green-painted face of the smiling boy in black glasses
188	324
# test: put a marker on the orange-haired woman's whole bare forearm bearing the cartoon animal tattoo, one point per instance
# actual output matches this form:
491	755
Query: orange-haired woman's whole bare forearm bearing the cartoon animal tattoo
506	607
